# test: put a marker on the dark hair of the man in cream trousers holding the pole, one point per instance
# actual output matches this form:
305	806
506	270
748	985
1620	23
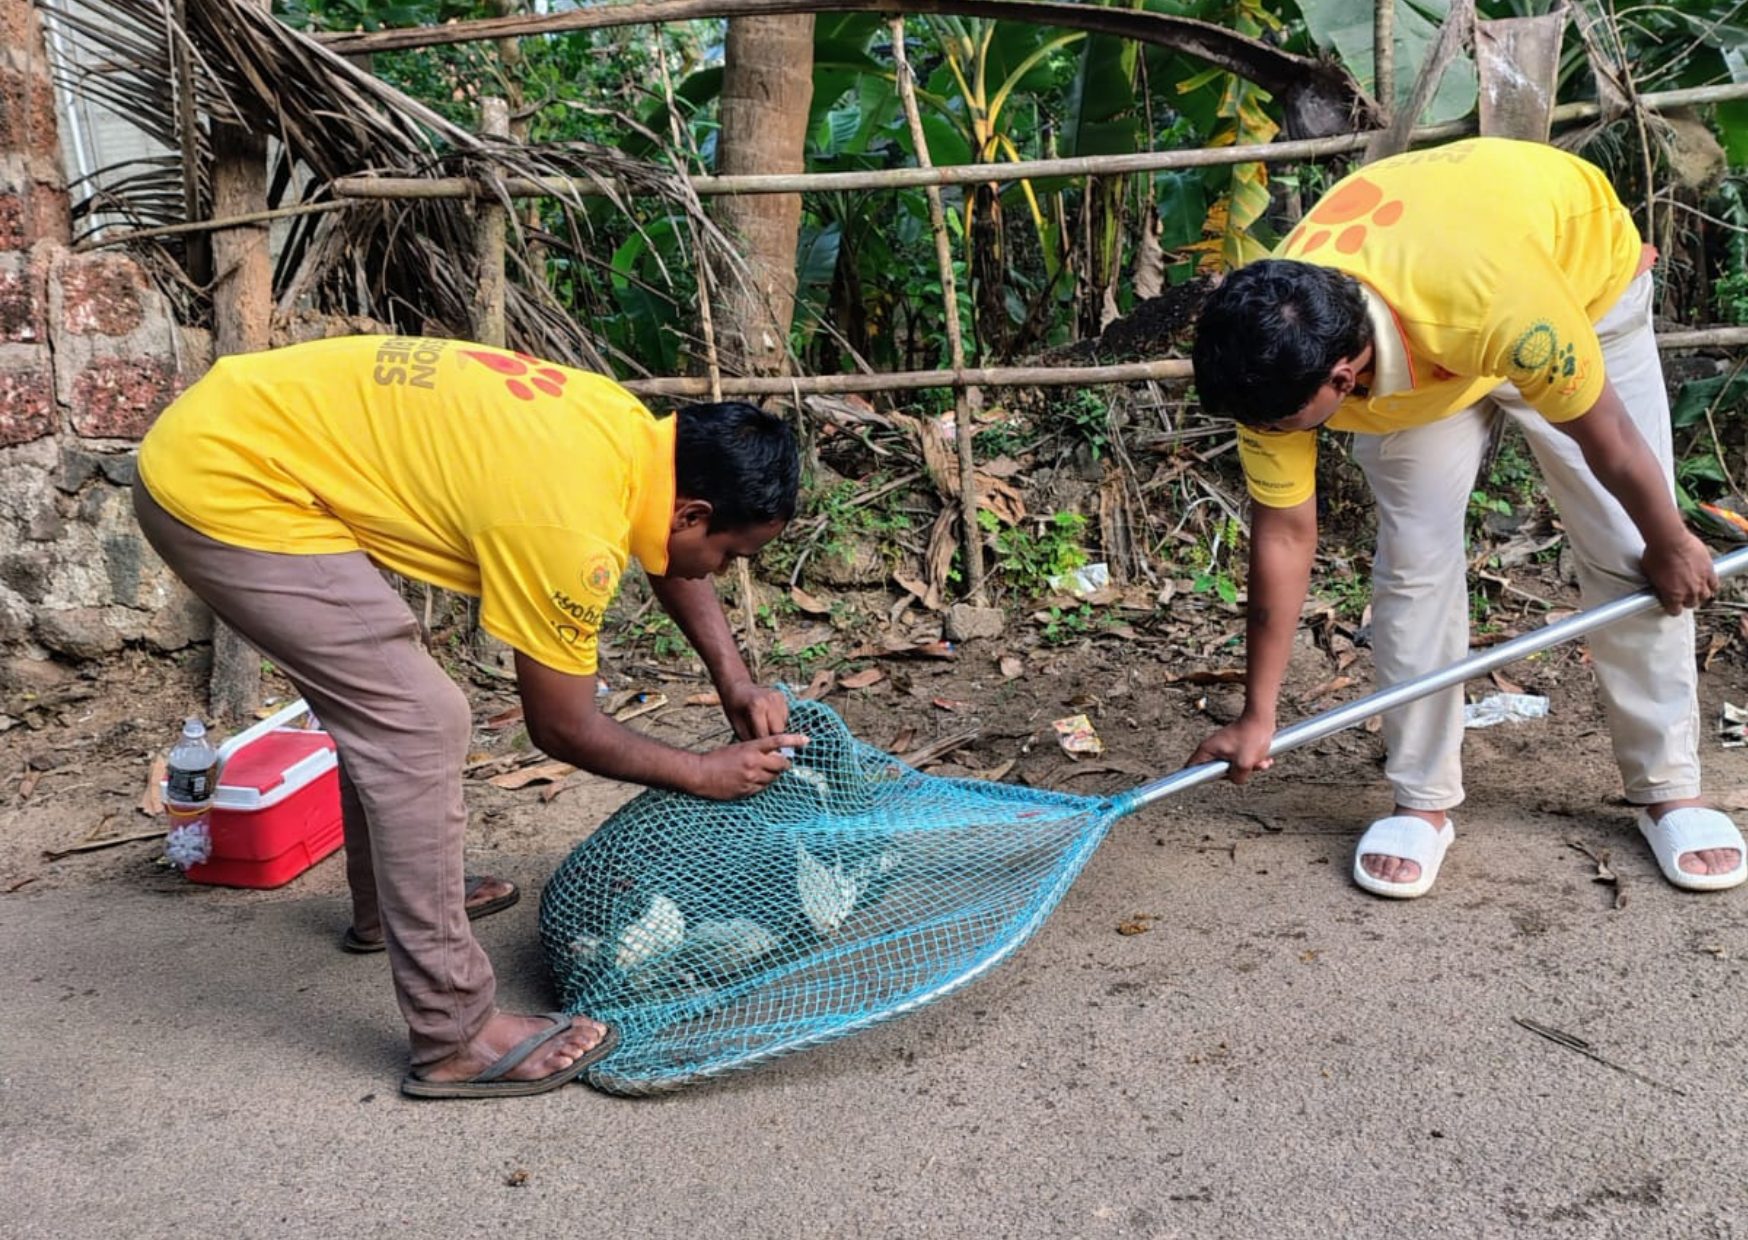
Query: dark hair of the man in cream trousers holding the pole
1270	335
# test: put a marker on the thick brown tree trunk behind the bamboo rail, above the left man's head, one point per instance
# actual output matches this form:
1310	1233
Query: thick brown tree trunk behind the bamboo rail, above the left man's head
766	94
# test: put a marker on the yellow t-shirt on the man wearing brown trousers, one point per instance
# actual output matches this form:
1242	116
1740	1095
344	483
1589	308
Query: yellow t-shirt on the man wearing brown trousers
476	470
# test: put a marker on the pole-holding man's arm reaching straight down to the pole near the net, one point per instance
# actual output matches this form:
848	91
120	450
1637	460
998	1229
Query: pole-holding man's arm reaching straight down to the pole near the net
1282	550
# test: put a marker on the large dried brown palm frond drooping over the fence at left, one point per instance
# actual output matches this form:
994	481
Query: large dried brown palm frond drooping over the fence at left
410	265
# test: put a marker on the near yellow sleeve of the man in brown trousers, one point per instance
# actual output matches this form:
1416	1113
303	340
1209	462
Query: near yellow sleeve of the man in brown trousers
546	590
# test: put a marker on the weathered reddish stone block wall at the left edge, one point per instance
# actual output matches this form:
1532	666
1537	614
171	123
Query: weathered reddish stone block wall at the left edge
90	352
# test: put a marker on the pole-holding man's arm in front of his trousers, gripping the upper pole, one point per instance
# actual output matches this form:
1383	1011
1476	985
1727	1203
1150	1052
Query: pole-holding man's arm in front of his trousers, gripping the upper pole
1675	564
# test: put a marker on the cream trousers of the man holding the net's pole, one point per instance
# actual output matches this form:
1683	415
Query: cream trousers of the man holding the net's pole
1646	665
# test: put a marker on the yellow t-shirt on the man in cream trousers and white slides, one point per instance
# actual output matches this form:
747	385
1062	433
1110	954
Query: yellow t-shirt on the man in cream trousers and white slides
1483	261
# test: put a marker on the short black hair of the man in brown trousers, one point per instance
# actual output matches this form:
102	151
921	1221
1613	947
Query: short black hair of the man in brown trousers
740	461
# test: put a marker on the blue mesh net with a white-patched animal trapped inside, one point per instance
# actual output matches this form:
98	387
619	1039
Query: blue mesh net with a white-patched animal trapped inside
721	935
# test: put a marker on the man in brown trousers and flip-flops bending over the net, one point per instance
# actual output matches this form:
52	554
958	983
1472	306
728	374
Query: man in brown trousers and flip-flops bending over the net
284	484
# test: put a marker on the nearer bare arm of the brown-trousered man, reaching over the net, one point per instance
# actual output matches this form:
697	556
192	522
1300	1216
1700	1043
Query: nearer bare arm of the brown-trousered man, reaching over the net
565	723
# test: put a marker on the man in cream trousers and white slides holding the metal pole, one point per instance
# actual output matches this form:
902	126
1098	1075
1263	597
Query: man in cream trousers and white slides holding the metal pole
1422	300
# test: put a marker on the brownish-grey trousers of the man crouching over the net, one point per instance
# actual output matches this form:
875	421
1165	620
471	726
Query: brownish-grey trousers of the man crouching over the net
345	637
